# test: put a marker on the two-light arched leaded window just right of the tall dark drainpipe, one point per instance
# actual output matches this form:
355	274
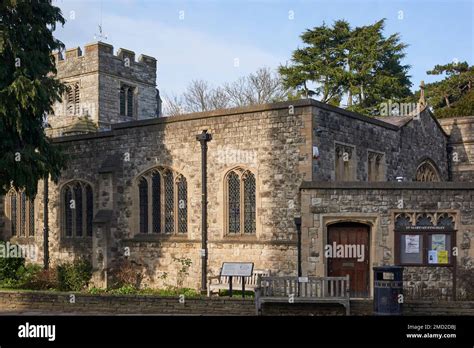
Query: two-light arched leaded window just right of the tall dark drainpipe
240	202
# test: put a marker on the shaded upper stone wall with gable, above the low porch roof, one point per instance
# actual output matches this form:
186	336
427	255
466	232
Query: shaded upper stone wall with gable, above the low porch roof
404	148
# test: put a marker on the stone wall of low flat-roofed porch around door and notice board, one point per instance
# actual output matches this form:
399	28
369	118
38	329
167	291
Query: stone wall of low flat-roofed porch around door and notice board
375	204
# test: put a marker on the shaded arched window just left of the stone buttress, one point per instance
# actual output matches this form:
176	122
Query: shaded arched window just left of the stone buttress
78	209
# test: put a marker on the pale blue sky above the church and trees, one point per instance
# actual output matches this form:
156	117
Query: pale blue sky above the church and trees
220	41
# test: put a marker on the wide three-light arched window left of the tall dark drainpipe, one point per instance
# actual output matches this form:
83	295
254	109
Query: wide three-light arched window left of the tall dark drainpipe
166	211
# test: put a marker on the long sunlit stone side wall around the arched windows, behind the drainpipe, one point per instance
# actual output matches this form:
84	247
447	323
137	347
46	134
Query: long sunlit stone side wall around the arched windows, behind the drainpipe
265	139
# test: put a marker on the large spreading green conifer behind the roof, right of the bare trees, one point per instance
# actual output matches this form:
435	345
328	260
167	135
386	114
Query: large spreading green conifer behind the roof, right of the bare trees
360	64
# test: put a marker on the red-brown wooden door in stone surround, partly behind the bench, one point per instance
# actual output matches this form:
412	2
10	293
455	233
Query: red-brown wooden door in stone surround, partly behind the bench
347	253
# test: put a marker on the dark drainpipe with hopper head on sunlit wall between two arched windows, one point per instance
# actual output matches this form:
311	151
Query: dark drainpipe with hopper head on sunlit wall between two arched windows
204	138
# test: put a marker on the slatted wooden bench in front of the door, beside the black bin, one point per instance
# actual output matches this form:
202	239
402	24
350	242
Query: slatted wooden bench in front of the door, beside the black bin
312	290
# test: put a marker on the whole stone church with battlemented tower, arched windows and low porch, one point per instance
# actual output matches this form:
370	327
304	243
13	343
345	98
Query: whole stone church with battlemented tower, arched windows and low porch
399	190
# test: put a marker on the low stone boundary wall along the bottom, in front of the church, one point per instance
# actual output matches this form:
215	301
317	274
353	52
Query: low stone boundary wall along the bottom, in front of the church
45	302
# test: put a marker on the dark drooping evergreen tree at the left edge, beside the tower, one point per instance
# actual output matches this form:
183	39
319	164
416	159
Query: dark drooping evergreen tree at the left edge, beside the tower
28	90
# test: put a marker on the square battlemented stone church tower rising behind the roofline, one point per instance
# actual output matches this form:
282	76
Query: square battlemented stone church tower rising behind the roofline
103	89
